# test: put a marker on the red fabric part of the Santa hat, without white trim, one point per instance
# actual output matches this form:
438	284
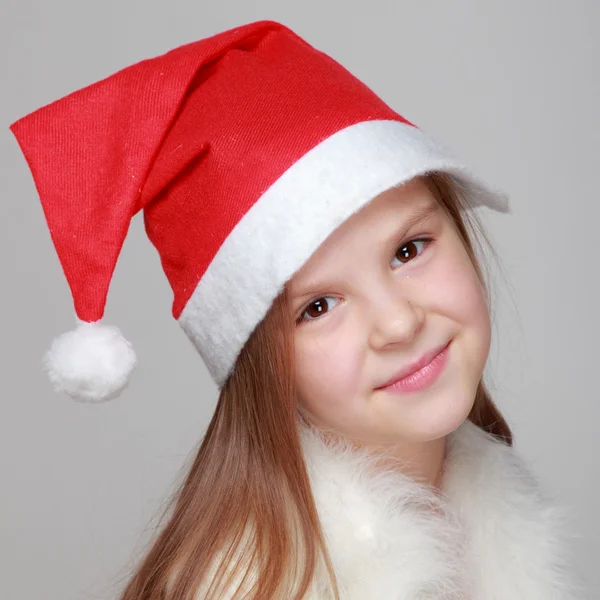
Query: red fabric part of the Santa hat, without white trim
194	137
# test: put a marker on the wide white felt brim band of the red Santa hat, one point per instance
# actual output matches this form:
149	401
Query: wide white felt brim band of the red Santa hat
295	215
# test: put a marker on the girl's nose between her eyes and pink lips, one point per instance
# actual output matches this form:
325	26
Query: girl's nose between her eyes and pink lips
397	320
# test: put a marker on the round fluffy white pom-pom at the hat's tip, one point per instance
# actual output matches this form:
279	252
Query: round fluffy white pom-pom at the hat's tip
91	363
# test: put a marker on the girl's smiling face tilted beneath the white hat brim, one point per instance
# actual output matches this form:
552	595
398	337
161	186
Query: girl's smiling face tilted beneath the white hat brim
374	298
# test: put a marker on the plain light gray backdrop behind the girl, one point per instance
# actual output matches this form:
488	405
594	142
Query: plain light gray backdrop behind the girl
512	87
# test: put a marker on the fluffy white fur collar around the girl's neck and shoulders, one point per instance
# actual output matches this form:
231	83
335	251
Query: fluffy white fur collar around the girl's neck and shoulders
490	535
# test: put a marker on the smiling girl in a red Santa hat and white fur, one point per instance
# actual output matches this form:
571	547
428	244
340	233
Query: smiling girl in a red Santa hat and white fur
321	252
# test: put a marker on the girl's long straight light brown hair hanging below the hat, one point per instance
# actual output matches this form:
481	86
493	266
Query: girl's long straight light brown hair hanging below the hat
245	507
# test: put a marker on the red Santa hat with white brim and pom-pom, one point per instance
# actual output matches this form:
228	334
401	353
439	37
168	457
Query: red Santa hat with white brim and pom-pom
245	150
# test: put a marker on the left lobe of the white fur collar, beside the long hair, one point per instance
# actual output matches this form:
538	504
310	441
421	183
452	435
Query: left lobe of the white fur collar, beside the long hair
380	525
